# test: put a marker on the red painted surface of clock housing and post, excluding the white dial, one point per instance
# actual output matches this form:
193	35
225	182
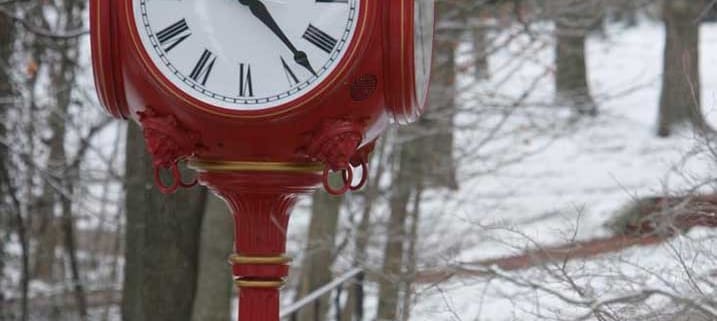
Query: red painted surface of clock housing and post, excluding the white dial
336	124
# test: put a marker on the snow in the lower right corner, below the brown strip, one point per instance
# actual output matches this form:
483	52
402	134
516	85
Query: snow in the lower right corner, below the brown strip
611	276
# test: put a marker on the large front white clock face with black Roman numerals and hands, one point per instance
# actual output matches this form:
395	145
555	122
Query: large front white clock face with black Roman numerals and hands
246	55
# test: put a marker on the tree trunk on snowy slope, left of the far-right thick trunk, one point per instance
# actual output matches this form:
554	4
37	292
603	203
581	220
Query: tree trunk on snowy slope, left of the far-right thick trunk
571	75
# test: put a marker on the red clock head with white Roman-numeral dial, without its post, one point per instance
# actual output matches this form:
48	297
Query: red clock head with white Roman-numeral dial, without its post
262	80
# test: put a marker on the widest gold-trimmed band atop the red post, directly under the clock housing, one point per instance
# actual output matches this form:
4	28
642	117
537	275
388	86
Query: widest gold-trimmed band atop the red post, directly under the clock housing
227	166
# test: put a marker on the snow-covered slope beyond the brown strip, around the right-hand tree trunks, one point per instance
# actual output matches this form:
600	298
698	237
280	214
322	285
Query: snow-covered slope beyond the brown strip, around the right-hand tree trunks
590	168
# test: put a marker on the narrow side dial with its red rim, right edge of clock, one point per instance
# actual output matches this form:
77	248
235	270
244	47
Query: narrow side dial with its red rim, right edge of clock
409	60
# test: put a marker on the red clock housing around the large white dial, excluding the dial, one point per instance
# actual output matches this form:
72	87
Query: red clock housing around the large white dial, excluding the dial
376	76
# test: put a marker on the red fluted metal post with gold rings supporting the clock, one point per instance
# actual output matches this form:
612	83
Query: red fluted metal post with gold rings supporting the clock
261	203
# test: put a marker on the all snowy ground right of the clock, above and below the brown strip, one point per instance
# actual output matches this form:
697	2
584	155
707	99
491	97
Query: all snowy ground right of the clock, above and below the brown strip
570	182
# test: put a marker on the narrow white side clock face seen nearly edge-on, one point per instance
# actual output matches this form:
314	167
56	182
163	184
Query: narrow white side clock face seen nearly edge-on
423	44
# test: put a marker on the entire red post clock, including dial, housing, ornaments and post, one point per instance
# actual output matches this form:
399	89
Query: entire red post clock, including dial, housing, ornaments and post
263	98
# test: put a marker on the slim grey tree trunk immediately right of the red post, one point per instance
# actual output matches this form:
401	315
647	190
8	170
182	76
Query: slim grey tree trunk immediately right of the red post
318	255
